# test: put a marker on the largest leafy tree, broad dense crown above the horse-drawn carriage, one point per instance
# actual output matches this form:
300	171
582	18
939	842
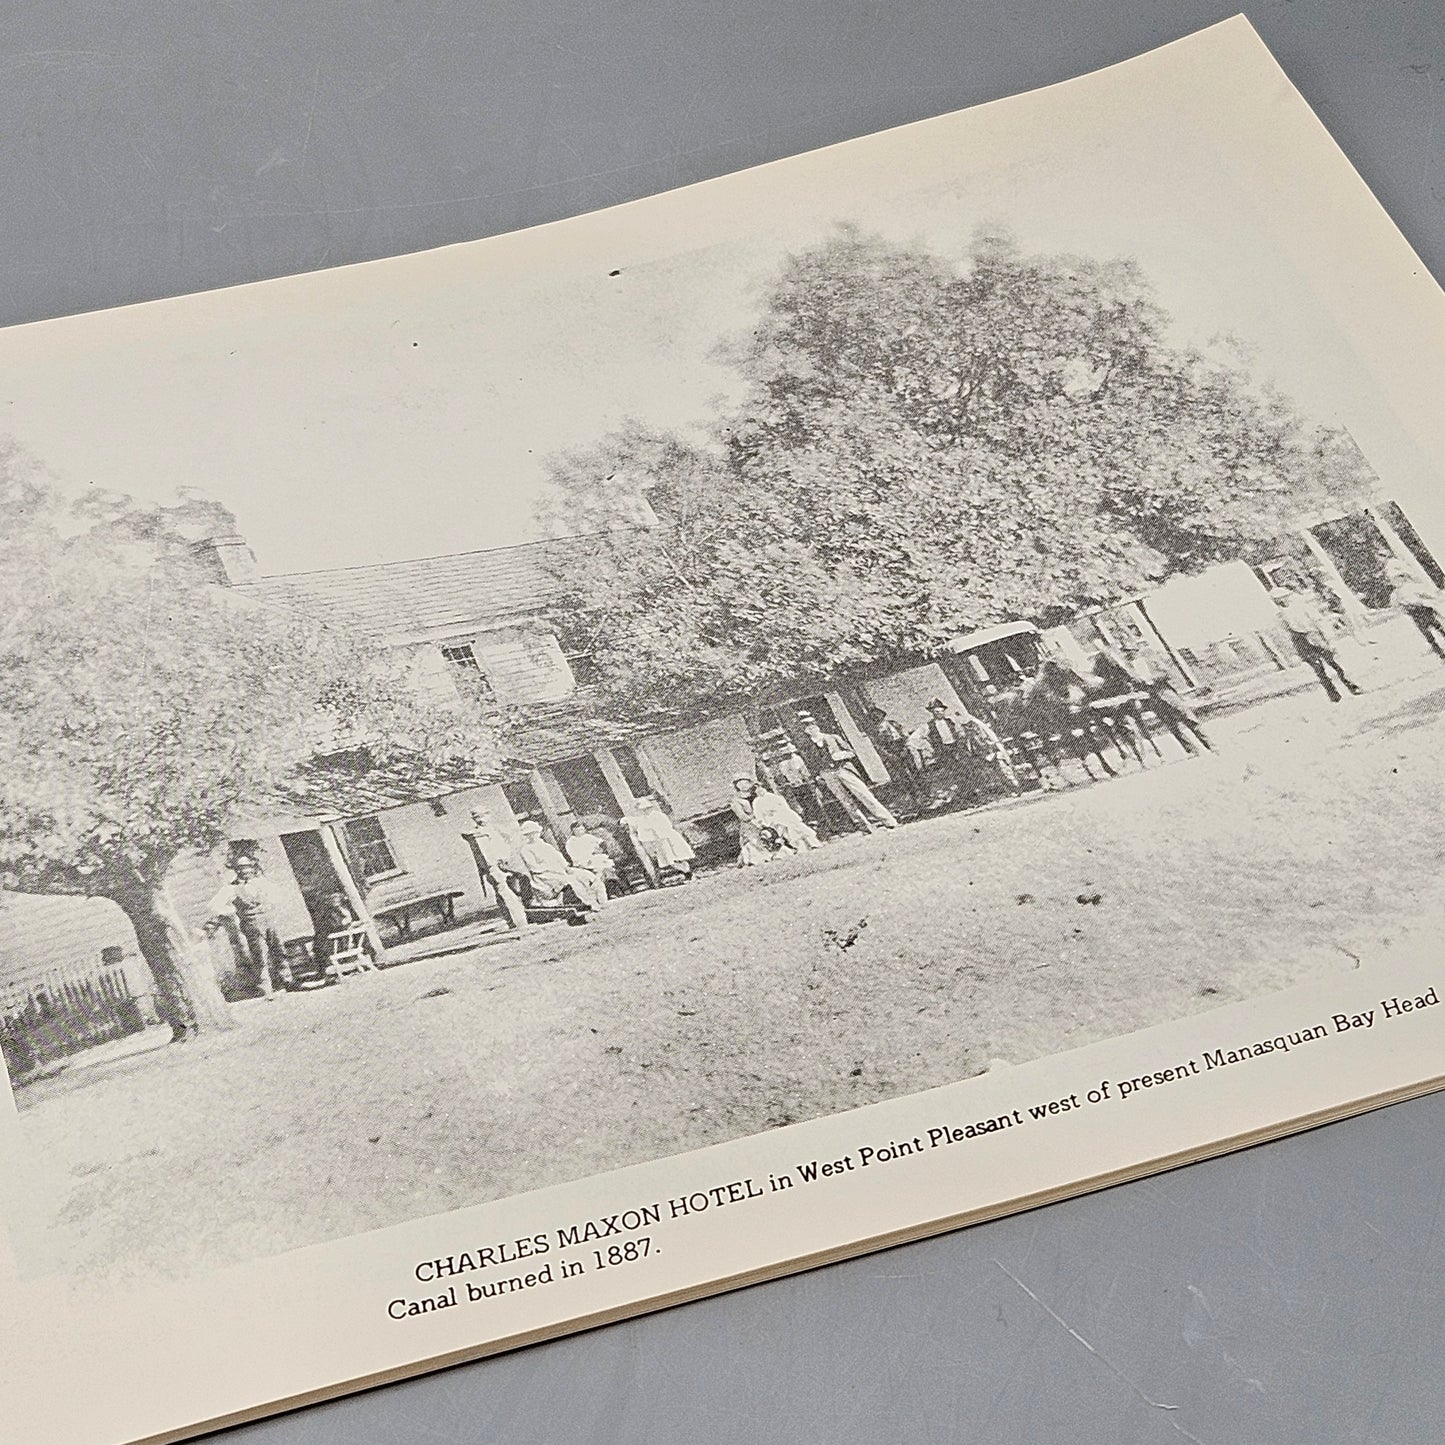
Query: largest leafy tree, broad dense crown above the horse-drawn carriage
926	447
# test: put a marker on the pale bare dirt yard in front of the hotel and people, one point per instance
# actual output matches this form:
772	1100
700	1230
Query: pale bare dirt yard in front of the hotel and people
754	999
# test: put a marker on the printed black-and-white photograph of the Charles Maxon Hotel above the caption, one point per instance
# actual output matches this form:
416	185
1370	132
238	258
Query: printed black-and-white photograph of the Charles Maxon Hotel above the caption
480	720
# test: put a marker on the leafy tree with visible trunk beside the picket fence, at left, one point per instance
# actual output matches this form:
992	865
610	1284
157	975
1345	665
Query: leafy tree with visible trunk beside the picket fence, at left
142	710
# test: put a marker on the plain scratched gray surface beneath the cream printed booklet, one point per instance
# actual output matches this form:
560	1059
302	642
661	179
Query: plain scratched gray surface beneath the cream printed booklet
151	148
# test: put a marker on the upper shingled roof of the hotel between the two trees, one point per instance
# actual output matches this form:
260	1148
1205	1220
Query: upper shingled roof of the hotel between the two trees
427	595
